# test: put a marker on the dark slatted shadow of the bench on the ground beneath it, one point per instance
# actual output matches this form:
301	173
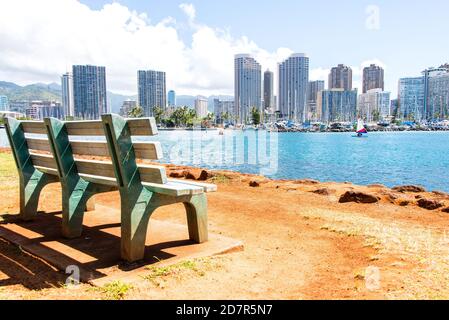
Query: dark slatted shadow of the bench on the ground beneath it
96	252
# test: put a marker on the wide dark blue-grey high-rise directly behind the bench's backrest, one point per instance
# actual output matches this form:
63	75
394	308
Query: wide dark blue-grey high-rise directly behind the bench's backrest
89	92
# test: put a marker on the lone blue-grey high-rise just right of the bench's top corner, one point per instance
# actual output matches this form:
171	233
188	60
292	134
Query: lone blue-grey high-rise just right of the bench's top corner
152	91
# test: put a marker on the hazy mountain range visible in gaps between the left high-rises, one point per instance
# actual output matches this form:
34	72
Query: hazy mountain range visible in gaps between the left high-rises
52	91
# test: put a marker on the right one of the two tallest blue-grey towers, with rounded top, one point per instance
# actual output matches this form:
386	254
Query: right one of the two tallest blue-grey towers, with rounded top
293	82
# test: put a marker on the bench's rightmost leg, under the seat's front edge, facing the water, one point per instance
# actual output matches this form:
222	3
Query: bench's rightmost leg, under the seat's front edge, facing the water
197	218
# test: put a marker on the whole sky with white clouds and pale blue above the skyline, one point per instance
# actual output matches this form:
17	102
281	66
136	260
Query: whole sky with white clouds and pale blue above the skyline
194	41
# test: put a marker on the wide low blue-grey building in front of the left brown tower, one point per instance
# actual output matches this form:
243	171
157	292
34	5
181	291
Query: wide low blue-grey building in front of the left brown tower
337	105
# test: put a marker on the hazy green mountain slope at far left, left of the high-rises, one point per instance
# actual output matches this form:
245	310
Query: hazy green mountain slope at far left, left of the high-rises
36	91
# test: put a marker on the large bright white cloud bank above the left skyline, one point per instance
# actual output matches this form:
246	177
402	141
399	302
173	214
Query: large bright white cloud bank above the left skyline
40	40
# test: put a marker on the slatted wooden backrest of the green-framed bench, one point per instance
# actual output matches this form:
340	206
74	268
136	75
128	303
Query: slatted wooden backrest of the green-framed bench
63	152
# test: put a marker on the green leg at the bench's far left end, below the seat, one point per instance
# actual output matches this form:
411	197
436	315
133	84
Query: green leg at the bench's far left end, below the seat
30	191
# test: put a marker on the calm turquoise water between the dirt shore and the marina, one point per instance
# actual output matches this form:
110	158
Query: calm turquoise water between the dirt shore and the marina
388	158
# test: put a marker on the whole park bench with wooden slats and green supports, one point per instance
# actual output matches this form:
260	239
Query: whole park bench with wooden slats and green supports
143	188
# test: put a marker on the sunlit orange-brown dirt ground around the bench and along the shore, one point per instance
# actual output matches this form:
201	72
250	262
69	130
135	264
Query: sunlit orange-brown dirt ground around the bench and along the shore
298	245
